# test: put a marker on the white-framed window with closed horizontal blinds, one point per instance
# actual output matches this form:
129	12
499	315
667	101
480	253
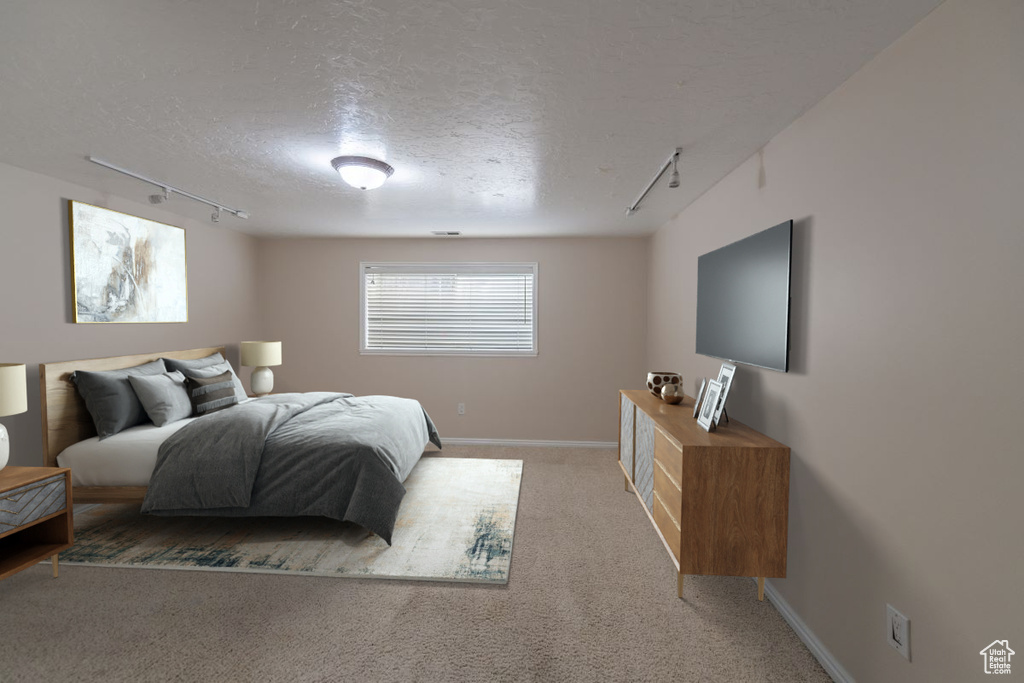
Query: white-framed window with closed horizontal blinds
449	309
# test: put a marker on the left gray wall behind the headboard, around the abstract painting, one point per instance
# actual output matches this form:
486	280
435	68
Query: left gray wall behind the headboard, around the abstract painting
36	317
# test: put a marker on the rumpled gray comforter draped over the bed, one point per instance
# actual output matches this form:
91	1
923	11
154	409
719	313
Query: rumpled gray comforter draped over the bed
329	455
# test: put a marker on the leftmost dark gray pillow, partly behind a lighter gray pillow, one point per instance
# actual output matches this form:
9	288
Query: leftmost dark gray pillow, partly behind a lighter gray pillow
110	399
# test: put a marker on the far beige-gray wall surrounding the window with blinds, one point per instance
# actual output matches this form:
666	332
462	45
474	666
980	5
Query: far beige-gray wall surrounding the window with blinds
591	327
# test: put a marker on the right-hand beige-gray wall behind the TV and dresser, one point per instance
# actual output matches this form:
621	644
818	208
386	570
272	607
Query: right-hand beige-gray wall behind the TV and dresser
908	343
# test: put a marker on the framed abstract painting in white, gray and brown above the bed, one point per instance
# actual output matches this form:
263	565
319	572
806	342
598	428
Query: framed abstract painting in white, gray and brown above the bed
125	269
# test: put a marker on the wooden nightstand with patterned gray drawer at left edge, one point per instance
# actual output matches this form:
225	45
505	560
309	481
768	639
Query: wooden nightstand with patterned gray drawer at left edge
35	517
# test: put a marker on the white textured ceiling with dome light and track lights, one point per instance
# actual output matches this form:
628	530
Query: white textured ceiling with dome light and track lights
503	118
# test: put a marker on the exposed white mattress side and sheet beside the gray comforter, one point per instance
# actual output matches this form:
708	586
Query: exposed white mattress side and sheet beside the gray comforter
123	460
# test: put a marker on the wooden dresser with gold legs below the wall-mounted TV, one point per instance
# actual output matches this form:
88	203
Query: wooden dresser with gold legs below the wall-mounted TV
720	501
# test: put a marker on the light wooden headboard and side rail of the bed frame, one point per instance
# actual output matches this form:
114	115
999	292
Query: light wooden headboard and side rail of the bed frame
66	420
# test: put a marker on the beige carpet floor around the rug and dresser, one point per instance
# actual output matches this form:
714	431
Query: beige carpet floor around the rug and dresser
591	597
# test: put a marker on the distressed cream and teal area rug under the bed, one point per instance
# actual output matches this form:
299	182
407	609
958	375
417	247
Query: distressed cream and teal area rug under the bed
457	523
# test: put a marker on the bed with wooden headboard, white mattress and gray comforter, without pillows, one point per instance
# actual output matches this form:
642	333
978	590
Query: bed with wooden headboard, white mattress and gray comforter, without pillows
319	454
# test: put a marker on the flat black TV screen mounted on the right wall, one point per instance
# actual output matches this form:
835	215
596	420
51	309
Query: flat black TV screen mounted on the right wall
744	301
